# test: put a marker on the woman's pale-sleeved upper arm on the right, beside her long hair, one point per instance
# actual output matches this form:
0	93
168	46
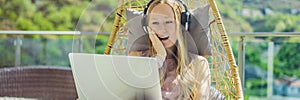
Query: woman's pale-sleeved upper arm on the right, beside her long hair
202	73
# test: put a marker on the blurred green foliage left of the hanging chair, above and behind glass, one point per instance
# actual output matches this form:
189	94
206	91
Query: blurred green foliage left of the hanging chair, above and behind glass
52	15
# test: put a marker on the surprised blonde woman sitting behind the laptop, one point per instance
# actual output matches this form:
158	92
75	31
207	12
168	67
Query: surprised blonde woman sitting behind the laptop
183	75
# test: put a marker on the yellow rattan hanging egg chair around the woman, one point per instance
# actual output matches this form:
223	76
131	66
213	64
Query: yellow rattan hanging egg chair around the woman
224	71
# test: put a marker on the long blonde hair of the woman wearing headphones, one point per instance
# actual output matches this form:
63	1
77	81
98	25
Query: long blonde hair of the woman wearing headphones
189	86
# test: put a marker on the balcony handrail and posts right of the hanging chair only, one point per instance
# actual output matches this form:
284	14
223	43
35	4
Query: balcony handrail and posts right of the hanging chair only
242	48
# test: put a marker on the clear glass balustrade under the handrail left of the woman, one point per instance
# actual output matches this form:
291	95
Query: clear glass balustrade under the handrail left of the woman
48	50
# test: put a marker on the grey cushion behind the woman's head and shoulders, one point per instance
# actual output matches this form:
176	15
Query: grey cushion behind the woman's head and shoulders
197	36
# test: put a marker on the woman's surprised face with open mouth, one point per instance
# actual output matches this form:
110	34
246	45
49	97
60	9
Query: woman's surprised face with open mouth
162	22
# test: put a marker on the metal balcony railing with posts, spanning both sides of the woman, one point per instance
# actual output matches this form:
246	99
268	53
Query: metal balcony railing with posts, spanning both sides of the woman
242	38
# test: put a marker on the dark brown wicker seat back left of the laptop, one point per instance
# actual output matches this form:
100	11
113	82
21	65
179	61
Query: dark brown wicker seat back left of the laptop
38	82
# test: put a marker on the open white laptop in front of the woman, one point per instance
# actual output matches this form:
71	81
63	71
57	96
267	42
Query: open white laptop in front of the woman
112	77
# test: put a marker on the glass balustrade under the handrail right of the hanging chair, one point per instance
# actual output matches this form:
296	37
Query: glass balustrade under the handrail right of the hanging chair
286	67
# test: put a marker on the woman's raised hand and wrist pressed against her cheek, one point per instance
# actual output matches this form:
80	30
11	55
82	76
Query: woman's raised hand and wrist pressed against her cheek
157	45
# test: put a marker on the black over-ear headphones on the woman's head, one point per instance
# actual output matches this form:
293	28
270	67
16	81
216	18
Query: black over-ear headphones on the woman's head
185	17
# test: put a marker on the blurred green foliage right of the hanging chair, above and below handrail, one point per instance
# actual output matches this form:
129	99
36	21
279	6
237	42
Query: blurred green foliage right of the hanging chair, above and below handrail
279	20
